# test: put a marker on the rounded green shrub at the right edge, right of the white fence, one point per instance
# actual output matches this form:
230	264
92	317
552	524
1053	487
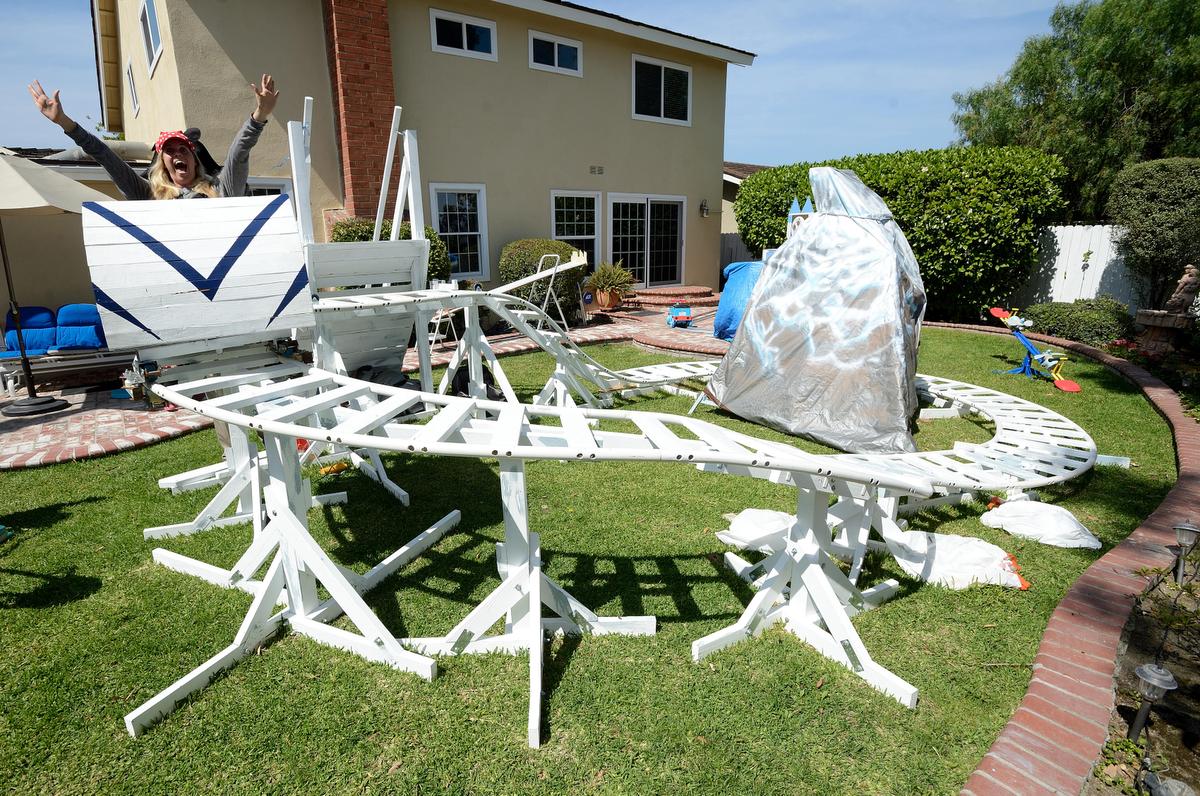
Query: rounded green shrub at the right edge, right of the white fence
1159	205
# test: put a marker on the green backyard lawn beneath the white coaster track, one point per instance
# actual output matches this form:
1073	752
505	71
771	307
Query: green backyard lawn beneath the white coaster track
91	627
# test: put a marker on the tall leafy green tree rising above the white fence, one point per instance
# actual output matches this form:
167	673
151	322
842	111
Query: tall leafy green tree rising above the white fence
1117	82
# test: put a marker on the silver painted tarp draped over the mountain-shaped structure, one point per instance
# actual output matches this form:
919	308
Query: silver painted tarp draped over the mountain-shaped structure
827	348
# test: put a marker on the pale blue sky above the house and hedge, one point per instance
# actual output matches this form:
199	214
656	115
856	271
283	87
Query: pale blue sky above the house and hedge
832	79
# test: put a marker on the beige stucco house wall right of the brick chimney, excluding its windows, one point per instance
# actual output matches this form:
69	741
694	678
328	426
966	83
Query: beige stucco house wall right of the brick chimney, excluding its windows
524	133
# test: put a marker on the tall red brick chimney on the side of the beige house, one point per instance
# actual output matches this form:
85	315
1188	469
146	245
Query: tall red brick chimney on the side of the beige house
358	41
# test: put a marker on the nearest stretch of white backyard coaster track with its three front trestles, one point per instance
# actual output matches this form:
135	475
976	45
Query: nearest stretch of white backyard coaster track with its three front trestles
817	600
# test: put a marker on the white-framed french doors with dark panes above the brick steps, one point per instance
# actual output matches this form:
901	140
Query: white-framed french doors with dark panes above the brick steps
646	235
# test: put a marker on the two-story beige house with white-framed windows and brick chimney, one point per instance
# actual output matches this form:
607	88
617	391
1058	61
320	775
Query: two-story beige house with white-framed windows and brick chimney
536	118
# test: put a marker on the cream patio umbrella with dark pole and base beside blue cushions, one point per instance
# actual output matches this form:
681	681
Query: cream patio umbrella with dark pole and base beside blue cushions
31	190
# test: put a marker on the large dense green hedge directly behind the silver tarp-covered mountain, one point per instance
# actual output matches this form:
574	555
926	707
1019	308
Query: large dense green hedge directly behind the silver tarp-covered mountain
970	214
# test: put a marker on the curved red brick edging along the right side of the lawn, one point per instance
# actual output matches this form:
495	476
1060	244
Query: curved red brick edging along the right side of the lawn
1057	734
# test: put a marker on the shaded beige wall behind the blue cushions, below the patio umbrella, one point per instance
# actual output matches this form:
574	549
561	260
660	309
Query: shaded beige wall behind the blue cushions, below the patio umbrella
47	260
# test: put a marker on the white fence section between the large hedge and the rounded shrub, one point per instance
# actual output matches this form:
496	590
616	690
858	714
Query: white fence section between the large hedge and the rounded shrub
1079	262
